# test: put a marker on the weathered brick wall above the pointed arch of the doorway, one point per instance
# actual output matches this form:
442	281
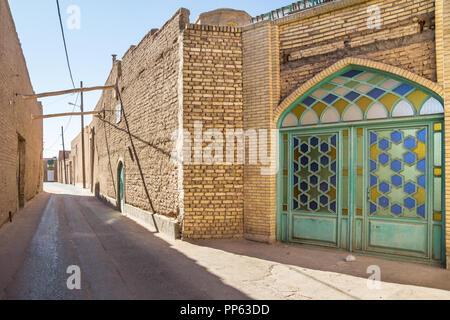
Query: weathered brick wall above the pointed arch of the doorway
315	41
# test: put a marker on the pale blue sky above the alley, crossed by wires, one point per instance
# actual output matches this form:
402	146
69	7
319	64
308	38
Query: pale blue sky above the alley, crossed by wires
107	27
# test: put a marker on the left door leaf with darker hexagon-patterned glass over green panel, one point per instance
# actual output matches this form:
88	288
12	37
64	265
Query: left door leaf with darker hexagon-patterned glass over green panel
314	189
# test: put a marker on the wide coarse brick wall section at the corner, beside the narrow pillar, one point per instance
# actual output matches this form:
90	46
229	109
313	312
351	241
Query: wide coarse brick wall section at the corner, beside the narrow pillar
212	94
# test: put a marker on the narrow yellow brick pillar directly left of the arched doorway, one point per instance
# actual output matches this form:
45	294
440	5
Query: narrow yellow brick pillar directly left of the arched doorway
261	96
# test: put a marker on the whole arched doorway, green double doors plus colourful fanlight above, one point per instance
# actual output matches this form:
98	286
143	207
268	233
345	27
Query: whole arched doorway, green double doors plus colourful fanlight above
362	166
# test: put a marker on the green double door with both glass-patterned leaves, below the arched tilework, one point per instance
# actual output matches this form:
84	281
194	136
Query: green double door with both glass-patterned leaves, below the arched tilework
374	188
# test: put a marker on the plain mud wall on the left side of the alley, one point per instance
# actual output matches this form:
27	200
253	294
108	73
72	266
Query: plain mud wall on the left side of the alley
16	122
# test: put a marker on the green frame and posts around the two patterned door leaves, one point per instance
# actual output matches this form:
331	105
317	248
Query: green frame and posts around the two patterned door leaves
283	221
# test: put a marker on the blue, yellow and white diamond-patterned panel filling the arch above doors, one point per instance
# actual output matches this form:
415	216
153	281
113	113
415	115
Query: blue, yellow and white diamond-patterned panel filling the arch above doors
361	94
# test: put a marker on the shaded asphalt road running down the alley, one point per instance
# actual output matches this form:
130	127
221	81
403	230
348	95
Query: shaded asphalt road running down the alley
118	259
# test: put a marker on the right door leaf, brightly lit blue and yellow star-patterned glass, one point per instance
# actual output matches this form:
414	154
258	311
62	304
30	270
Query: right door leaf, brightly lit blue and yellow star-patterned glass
398	191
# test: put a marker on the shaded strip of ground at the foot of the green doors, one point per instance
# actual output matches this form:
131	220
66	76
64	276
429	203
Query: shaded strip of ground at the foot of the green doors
330	260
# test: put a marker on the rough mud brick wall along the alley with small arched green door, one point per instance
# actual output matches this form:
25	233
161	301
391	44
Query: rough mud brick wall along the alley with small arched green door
148	80
